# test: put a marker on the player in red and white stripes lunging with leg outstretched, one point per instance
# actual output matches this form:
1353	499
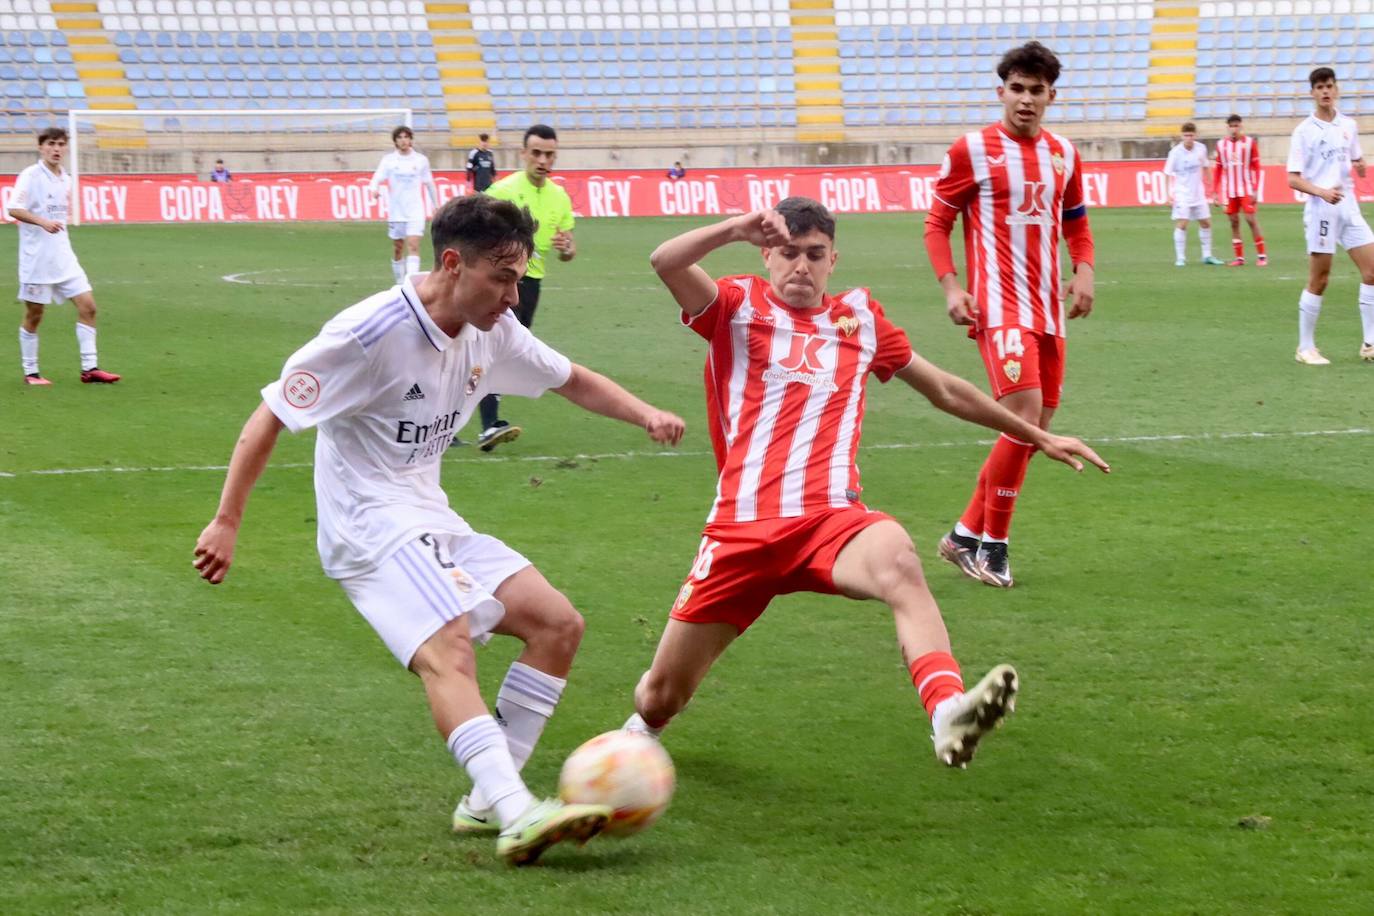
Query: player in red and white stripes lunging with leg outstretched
785	398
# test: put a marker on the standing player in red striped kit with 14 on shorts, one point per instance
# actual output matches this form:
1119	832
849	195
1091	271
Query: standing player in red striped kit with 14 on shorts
1019	187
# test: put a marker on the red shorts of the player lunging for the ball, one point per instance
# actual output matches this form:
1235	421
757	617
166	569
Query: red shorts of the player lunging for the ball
743	566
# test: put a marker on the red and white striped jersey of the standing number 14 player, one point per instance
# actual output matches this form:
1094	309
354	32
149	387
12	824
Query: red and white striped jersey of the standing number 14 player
1013	194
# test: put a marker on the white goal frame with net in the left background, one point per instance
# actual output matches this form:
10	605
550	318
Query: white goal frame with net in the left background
186	142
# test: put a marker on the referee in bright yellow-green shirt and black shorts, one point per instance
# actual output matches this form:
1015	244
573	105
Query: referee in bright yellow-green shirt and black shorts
553	209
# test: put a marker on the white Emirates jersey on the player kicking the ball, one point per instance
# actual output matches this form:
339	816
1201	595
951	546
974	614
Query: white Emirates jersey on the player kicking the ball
390	392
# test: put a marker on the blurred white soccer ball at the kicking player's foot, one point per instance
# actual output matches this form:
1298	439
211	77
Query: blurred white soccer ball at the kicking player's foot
629	771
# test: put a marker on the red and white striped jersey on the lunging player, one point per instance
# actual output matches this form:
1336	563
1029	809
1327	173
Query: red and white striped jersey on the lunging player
785	396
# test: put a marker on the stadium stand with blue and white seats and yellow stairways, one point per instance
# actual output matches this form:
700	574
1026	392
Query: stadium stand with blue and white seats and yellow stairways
652	71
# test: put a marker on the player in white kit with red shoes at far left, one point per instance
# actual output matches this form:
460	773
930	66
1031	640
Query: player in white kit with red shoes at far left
49	270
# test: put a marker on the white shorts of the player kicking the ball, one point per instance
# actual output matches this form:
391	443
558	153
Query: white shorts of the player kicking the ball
431	582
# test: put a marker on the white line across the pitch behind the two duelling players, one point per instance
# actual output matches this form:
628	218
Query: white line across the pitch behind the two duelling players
608	457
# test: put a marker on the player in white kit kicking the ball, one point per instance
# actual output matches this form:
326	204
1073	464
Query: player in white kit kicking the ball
388	384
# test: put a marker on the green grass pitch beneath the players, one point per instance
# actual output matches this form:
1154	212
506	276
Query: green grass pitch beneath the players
1193	631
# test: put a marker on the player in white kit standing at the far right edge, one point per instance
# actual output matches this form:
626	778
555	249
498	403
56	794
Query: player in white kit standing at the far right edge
1321	154
